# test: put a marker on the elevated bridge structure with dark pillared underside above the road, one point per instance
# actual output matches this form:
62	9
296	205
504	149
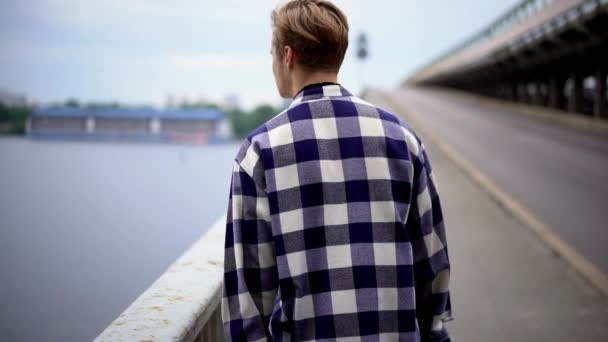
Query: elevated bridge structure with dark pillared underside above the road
542	52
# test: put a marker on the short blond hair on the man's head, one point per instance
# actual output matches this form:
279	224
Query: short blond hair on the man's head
316	29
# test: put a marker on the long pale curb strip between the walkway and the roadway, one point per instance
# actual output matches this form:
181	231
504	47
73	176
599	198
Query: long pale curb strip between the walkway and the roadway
585	268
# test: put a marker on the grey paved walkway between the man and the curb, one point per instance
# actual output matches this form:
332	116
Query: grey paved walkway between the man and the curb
505	284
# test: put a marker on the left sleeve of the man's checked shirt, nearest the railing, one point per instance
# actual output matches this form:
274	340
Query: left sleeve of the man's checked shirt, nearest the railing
250	271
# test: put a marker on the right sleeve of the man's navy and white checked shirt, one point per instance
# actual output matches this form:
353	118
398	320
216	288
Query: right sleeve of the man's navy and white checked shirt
431	263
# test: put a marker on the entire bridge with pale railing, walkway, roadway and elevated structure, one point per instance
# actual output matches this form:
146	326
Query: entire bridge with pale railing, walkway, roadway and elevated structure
515	122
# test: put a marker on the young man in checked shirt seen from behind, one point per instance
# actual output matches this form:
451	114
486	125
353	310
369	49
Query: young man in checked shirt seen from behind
334	228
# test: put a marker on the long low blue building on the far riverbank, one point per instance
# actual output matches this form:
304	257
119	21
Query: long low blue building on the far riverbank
188	126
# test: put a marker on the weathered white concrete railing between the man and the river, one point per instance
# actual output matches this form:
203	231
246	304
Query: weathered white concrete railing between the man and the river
184	303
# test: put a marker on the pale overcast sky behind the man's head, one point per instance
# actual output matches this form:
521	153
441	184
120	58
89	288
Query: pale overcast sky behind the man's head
141	51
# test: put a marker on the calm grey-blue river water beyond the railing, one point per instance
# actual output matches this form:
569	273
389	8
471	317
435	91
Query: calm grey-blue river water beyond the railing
85	227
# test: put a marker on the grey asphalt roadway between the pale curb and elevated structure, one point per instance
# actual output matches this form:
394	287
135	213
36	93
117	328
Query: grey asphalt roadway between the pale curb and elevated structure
558	173
